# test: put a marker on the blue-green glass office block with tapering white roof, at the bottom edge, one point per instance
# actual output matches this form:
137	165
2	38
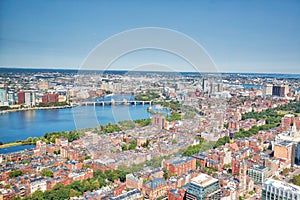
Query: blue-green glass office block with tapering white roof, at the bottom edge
203	187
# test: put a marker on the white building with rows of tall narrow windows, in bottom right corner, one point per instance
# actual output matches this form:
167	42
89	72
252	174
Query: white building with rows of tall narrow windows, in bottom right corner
274	189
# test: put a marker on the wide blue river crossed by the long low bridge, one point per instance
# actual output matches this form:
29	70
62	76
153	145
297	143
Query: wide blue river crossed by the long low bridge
35	123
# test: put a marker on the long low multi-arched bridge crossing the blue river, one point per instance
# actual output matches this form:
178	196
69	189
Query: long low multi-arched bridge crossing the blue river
113	102
